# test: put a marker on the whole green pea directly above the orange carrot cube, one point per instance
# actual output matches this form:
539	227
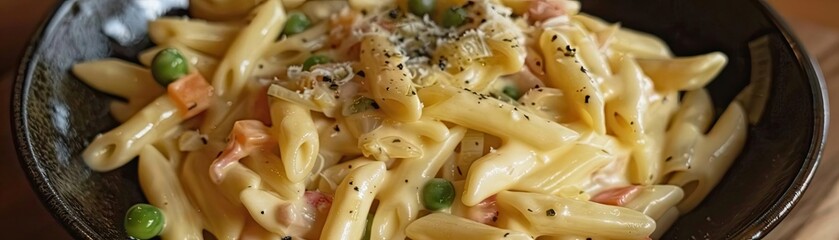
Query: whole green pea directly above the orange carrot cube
168	66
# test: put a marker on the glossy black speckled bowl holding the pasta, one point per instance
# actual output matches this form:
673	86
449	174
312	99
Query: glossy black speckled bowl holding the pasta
56	116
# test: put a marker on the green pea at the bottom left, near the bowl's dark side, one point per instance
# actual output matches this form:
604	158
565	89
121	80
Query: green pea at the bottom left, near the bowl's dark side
143	221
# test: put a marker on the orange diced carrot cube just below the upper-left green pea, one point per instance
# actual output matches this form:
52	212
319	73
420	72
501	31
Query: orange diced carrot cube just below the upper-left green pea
192	94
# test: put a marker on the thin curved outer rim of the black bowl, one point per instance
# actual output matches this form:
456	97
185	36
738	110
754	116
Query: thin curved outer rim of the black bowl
60	210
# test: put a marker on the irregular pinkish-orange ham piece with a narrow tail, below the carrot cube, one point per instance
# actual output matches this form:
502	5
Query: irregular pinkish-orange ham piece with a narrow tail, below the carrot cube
247	136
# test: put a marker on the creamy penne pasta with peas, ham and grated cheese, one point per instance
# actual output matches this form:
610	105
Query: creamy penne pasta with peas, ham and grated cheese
410	119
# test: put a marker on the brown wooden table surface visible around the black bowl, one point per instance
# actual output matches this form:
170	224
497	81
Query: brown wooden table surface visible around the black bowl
814	21
